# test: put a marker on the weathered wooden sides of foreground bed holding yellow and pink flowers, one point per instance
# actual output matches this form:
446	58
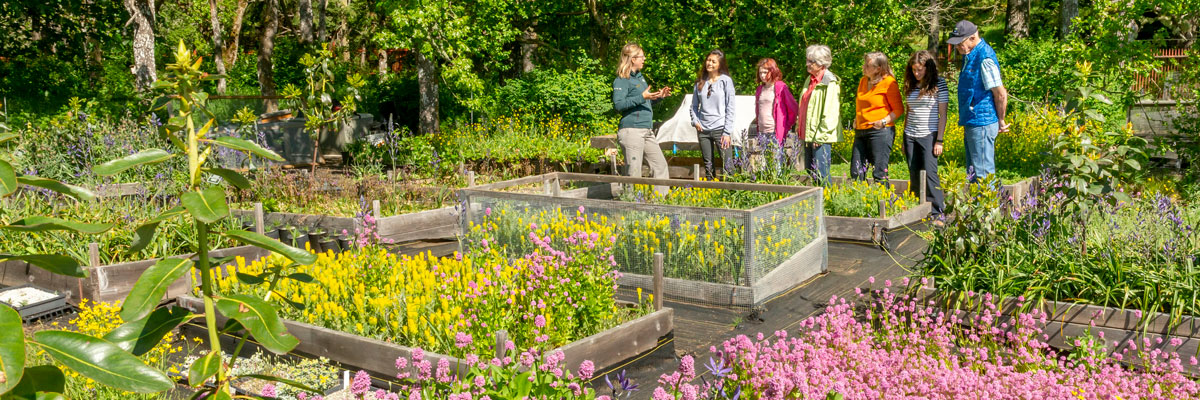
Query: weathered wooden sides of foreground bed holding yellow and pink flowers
379	357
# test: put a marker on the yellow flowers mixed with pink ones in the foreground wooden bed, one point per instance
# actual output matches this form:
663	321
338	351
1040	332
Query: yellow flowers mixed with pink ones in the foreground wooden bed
453	306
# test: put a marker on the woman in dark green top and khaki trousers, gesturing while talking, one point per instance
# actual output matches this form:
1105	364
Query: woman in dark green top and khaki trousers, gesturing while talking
632	98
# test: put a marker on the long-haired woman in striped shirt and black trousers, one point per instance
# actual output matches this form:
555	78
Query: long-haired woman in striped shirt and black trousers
926	127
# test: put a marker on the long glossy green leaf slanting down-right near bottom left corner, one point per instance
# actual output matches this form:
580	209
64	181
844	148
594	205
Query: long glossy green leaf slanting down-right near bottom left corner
101	362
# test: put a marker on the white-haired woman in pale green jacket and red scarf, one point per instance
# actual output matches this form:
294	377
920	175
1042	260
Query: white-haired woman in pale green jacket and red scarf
819	121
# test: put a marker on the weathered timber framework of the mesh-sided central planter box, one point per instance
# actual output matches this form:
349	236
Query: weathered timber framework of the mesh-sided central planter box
758	278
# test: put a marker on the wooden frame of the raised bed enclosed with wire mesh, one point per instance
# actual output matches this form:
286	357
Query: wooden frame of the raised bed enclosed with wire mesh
751	291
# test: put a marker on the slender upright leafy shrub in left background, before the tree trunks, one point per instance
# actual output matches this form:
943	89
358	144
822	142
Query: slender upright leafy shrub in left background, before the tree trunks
316	99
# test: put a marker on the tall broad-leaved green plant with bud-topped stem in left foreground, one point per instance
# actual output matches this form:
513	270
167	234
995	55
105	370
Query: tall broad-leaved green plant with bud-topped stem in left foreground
111	361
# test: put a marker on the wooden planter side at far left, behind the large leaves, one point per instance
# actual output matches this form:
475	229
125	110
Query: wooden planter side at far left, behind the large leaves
110	283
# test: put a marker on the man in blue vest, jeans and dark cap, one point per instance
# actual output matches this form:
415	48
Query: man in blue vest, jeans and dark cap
982	99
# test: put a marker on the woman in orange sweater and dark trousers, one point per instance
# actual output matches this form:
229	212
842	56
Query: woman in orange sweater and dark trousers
878	108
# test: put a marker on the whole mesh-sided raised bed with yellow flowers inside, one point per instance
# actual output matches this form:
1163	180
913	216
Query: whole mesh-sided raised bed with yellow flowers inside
748	243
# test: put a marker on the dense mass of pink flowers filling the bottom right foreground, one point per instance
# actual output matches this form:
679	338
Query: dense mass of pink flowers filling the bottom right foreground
892	347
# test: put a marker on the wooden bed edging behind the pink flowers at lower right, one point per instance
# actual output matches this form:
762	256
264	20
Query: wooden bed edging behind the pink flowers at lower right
1067	321
